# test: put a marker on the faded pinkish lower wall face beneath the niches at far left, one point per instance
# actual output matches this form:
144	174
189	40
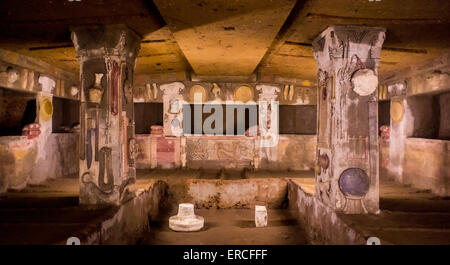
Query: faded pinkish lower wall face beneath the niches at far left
22	162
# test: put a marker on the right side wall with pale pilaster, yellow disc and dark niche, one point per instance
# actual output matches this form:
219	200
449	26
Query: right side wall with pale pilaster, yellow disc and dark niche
417	152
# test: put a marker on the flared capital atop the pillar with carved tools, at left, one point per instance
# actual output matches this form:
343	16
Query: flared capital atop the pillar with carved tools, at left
101	41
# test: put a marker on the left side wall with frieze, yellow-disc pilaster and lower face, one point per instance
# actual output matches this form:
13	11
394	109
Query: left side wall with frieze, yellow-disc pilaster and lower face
38	154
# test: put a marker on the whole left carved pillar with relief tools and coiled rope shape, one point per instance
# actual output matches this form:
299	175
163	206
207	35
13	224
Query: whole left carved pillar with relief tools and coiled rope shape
107	56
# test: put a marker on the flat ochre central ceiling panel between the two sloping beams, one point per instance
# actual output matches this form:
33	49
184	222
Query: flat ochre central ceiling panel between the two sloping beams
224	37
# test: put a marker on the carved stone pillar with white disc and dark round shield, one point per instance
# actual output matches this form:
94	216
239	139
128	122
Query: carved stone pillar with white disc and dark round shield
347	150
